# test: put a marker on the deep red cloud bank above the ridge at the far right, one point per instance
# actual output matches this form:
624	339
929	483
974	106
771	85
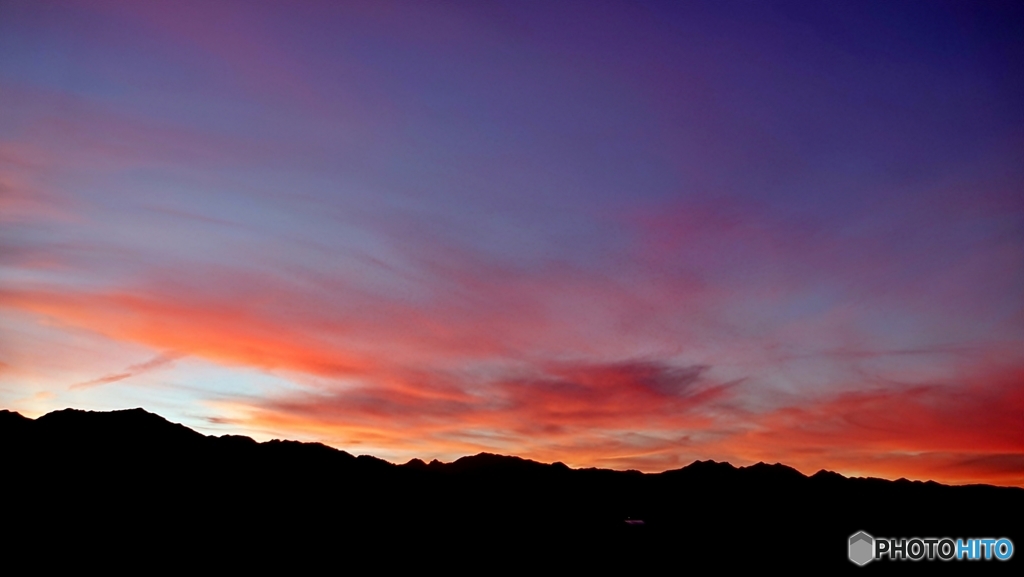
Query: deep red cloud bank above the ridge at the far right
952	433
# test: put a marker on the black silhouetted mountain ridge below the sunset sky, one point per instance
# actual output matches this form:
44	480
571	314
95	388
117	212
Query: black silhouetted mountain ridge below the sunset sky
130	487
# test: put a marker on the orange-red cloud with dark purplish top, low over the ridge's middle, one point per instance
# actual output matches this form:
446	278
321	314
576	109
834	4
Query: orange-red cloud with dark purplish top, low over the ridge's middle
579	414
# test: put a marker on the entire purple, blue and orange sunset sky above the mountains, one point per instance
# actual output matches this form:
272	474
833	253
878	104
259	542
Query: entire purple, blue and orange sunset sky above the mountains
624	235
